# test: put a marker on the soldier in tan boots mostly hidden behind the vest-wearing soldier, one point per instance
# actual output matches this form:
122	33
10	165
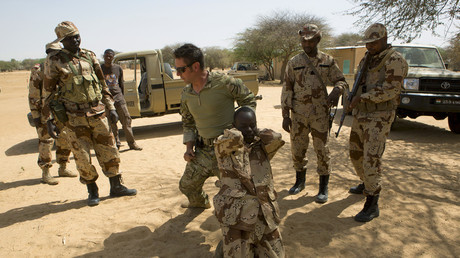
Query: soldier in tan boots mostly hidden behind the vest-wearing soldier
45	142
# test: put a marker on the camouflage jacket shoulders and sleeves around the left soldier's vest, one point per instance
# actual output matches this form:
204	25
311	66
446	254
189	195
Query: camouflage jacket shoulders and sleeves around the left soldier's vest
58	68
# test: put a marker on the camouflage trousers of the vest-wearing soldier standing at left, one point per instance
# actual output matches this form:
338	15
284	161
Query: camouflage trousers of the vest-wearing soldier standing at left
93	132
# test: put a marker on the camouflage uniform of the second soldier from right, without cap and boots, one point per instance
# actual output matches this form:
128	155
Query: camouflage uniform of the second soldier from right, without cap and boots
305	97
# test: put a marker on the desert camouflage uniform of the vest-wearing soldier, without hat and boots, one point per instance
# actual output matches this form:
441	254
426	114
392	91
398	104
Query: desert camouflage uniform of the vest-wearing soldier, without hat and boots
88	125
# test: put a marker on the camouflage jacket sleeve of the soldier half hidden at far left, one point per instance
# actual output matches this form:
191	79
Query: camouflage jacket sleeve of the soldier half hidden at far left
35	91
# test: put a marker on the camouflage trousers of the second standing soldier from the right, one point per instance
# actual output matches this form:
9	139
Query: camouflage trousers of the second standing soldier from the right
300	130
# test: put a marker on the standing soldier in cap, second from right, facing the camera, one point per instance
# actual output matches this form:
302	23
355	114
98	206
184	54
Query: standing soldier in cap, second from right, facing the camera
306	107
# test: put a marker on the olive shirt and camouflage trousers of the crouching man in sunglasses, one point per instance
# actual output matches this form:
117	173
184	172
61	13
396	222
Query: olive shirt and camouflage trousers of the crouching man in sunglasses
204	118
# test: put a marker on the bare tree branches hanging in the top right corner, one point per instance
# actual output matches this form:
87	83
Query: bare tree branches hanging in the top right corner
406	19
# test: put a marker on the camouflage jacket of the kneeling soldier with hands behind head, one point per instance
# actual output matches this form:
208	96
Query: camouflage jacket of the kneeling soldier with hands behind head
247	189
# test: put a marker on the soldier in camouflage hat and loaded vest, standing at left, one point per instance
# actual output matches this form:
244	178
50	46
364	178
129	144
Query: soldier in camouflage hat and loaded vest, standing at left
74	78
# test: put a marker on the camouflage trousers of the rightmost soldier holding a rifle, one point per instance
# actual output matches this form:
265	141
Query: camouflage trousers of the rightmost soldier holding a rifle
367	144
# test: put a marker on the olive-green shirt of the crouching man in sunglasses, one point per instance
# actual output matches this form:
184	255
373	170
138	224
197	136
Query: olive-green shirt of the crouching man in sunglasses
209	112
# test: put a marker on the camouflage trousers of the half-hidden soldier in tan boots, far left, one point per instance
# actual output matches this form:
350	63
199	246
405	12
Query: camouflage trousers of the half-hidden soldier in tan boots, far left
45	145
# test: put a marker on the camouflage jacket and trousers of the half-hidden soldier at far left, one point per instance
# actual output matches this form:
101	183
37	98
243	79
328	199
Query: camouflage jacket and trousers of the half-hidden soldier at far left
45	142
